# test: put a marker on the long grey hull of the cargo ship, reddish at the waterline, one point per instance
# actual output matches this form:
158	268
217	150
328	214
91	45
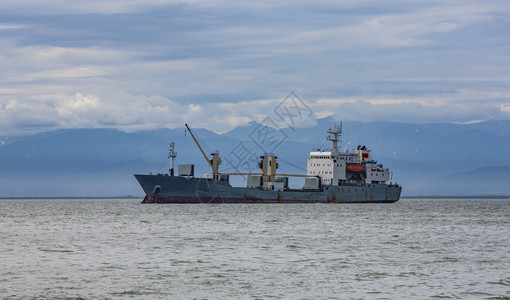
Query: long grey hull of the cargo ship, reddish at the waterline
178	189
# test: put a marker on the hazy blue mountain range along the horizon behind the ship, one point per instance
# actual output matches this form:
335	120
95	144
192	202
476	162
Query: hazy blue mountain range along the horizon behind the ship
427	159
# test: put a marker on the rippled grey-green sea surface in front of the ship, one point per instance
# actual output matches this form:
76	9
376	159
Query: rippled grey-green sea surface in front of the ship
121	249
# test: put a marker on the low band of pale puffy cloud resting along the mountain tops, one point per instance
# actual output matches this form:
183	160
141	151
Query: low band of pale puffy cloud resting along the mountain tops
132	113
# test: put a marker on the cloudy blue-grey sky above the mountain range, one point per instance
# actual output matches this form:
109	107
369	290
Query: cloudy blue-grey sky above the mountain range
143	64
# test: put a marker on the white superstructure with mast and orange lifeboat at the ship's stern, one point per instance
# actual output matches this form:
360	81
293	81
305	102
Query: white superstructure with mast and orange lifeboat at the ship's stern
337	168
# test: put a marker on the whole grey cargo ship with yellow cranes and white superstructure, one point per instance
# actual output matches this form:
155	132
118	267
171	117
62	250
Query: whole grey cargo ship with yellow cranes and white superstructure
331	177
